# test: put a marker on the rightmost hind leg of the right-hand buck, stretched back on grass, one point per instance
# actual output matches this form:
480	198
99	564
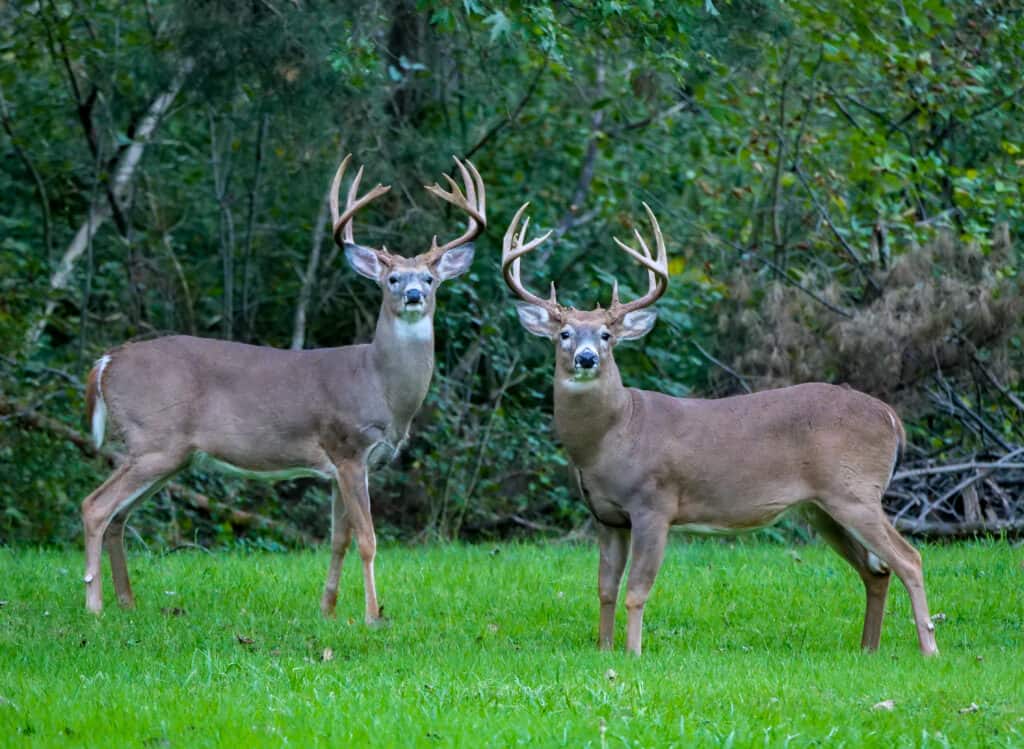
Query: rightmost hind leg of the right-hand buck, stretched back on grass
868	523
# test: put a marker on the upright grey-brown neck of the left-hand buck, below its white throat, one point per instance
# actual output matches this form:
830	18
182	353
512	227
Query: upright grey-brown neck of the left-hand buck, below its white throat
404	357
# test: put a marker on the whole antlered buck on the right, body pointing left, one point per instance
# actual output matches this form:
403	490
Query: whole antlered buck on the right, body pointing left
646	462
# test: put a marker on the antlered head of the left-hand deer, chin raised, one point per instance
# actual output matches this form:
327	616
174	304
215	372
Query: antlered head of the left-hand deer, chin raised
409	283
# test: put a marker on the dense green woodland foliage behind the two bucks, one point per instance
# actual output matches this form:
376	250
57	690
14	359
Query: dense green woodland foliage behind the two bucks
840	184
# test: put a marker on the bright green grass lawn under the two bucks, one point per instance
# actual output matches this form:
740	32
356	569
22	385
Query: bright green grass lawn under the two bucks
745	645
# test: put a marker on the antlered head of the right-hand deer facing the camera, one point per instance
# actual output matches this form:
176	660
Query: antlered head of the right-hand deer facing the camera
584	340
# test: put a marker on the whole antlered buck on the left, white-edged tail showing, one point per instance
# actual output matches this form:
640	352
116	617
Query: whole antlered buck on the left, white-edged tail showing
333	413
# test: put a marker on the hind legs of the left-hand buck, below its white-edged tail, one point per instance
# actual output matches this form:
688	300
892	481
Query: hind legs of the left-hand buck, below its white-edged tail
130	484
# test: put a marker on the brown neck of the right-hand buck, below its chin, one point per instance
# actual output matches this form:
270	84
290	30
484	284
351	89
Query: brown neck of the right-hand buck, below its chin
584	414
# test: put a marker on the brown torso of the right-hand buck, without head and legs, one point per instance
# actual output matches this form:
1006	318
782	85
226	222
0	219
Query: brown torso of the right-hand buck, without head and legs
790	437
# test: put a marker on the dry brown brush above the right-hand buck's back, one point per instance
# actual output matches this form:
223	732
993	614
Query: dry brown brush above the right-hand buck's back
938	307
